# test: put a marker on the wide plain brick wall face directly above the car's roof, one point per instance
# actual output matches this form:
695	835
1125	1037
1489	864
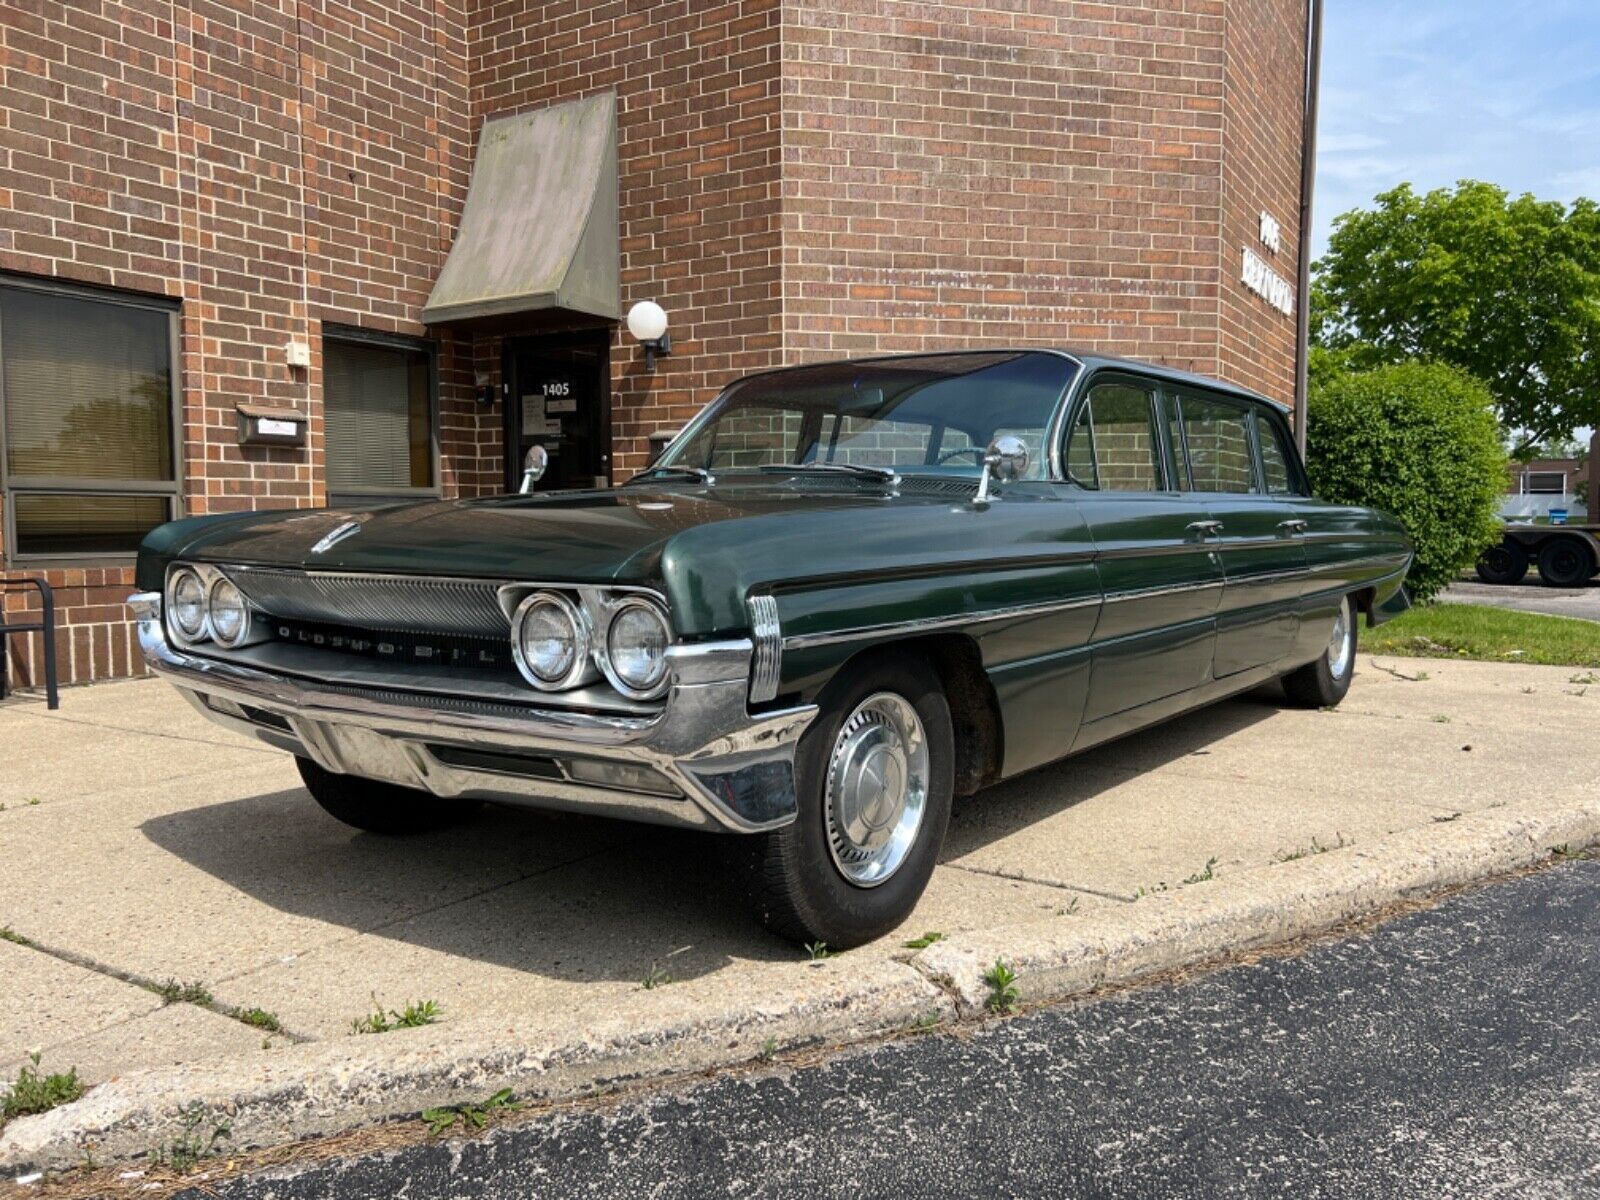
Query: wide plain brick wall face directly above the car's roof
1002	174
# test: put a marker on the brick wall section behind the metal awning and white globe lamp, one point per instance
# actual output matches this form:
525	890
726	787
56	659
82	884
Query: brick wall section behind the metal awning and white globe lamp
698	146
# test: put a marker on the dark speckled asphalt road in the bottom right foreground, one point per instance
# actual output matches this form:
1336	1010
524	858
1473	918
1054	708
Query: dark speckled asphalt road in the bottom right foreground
1449	1054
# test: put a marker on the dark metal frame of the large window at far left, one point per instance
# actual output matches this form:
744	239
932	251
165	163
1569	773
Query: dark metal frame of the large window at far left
54	486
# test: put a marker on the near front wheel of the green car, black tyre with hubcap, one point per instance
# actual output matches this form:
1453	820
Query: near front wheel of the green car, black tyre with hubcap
874	778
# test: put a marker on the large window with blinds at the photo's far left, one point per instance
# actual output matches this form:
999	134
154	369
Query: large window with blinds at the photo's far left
87	404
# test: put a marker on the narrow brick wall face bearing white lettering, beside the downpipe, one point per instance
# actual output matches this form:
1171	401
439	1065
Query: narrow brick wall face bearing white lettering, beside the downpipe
1262	172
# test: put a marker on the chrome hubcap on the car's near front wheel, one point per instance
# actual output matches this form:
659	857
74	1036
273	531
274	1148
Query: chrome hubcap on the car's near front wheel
878	790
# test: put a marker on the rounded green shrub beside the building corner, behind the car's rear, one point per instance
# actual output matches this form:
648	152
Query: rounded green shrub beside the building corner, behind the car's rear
1422	442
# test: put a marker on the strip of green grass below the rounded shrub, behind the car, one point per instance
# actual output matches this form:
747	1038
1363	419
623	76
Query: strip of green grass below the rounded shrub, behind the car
1487	636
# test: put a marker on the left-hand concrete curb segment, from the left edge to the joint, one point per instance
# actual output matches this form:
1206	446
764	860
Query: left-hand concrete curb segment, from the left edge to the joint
329	1087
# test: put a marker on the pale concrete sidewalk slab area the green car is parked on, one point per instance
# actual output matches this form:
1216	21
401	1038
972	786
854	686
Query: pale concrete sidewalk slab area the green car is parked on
140	846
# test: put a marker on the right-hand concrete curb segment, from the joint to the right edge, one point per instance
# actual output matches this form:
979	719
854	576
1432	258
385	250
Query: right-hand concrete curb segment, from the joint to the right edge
1254	910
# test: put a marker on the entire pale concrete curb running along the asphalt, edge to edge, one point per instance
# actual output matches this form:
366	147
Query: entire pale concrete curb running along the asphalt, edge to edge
697	1026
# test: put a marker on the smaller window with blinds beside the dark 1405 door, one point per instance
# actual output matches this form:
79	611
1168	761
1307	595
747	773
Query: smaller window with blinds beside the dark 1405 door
378	414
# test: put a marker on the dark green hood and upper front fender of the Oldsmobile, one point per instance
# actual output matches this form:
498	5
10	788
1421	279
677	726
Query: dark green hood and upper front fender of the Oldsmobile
706	548
